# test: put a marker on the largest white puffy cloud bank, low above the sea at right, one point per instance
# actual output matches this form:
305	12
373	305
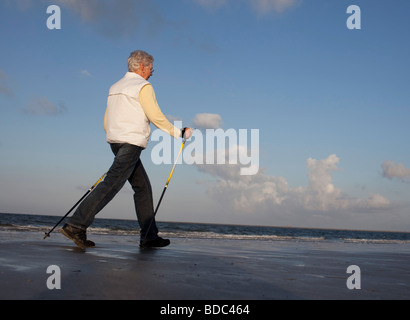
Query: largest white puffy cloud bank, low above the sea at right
265	193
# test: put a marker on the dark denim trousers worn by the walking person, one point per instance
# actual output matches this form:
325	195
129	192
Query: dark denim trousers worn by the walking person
127	165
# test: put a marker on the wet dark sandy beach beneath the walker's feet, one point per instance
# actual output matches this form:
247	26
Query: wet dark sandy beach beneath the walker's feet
200	269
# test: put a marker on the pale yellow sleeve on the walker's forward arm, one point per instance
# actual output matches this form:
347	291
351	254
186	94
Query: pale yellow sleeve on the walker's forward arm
153	112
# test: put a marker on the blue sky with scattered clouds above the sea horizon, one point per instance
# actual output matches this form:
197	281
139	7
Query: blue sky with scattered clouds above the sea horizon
331	106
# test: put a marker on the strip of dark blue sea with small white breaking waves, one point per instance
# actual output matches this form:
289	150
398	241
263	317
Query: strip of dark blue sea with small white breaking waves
42	224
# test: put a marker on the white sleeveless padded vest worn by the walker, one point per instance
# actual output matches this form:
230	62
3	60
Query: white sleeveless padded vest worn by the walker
126	121
